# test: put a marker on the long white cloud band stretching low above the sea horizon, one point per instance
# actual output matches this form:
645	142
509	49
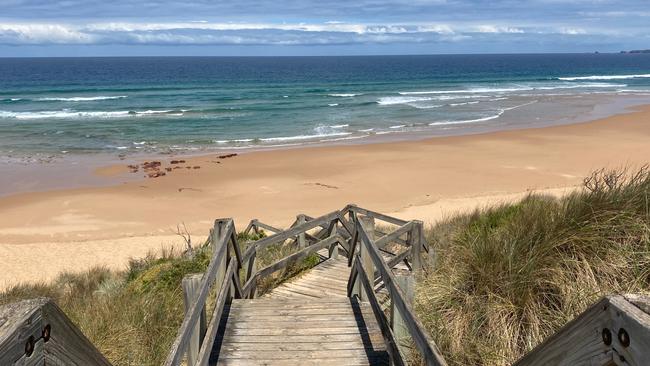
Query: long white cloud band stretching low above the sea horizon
254	33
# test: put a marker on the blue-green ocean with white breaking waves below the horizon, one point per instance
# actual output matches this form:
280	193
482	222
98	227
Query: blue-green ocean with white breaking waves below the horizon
72	106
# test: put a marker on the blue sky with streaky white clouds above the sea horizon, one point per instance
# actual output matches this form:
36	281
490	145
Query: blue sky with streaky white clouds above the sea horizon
319	27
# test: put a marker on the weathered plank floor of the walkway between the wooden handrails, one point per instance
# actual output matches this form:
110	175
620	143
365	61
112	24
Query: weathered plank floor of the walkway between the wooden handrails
306	321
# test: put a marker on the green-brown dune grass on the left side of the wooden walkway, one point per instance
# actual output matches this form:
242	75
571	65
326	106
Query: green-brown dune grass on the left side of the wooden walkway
133	316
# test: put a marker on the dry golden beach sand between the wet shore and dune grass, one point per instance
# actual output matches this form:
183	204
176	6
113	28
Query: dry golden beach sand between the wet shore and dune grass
45	233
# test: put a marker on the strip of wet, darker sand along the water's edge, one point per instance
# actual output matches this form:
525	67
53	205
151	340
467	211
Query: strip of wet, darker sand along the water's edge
73	171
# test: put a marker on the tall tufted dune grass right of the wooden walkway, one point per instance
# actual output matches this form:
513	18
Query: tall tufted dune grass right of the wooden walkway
507	277
